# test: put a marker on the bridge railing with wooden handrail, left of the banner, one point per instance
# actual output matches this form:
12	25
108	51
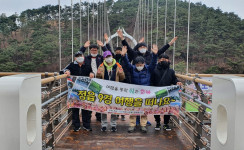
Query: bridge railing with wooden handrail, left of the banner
56	118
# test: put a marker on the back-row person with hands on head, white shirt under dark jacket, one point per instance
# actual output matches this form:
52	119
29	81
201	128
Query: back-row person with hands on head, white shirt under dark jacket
94	59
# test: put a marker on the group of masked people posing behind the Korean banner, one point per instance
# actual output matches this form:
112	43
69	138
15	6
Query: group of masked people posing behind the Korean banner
137	65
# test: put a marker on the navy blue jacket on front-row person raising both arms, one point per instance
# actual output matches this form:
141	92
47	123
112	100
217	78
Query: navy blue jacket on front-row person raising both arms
141	77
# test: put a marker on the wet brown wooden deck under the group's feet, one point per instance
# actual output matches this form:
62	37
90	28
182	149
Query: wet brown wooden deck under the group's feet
122	140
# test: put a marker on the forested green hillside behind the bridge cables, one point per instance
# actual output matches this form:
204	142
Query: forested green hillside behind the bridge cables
29	41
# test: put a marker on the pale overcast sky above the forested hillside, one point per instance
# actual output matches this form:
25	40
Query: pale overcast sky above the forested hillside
11	6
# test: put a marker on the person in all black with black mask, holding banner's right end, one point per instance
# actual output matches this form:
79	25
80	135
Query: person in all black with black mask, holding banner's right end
163	75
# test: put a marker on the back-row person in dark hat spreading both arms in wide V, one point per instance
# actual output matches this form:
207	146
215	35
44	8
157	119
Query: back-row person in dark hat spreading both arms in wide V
141	49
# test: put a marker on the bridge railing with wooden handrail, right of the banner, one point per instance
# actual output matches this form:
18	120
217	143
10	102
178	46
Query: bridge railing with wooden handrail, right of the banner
195	113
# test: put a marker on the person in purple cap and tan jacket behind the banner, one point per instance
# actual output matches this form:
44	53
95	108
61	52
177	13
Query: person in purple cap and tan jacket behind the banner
113	71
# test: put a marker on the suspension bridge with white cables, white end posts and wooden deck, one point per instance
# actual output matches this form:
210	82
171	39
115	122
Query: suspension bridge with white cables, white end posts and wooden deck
41	119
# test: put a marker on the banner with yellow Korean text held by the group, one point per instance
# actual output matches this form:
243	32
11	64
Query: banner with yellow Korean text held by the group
120	98
